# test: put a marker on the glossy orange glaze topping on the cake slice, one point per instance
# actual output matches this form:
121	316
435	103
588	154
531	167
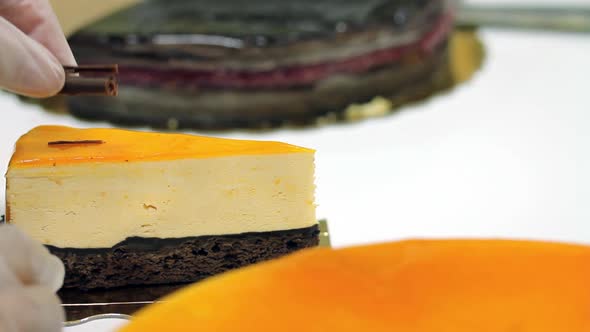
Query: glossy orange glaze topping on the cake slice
74	146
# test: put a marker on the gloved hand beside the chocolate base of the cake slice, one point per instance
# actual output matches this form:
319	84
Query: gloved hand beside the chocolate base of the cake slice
29	278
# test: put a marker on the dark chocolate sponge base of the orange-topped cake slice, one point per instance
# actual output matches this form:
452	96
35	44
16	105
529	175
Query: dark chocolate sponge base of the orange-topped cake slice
152	261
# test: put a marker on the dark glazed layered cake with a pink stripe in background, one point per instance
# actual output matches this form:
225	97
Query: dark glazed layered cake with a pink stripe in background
248	64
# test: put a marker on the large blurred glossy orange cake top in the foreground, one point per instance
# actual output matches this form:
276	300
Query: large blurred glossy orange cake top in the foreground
442	286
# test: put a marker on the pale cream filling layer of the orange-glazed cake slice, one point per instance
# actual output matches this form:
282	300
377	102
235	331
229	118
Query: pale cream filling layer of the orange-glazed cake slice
97	205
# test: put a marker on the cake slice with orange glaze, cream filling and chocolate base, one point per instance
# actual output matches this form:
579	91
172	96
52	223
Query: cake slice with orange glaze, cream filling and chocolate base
132	208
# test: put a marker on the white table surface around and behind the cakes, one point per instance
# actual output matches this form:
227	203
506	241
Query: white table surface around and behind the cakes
506	155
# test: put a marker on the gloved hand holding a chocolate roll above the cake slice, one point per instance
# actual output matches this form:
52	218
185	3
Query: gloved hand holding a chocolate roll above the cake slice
33	48
